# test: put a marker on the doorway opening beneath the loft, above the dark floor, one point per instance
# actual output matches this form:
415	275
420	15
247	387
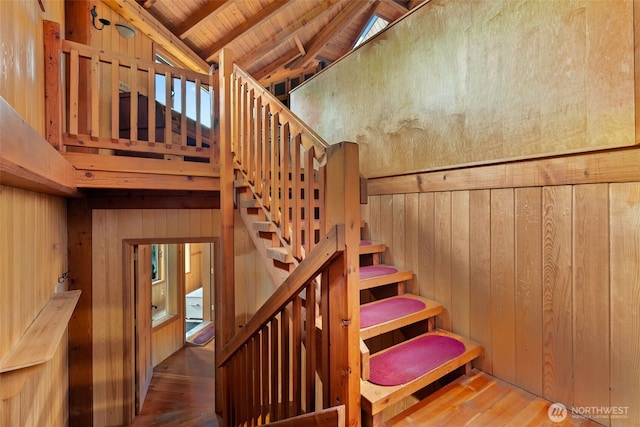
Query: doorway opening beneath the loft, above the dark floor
173	294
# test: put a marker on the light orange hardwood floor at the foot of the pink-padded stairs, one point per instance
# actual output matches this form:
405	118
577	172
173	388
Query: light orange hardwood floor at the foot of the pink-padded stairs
482	400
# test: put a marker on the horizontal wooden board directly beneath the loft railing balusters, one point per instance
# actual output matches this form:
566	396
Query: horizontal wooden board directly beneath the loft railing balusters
145	181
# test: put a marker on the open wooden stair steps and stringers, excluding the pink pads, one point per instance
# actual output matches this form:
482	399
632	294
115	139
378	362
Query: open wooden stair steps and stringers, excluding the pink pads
381	286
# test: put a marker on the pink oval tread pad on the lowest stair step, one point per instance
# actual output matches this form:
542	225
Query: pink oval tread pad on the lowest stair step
413	359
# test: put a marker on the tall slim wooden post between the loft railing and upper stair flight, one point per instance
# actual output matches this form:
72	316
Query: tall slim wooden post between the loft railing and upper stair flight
224	294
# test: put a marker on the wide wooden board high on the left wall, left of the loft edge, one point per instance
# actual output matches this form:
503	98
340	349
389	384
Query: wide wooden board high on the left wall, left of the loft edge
28	161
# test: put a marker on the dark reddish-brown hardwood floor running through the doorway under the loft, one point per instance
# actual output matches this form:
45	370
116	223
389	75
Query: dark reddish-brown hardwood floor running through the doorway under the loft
182	391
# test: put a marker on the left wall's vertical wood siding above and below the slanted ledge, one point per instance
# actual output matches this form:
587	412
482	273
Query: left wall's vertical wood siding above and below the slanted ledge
33	242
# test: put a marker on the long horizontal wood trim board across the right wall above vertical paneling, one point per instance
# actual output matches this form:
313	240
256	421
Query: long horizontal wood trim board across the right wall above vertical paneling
590	168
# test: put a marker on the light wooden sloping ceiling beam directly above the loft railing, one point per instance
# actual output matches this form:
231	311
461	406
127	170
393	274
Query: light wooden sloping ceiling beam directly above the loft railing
144	22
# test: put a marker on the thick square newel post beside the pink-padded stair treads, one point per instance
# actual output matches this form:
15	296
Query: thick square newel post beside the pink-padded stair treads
342	206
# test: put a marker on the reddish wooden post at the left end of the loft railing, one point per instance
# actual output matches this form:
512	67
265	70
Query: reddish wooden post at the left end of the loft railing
52	85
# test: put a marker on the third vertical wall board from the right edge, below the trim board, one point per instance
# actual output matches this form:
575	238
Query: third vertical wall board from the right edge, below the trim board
557	308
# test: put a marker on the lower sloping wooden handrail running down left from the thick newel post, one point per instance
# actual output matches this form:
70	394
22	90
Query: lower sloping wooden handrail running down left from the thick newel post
329	247
